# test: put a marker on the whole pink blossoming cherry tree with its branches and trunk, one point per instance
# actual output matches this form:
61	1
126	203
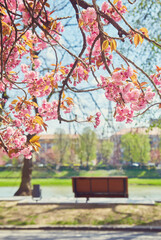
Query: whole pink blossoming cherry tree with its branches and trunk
27	27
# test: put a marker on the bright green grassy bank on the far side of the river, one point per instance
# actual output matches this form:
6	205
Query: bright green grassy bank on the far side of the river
48	177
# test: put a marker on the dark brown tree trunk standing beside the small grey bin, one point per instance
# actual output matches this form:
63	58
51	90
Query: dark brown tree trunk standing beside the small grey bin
25	186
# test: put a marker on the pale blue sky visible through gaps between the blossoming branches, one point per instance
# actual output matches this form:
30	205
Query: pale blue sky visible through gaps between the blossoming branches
72	40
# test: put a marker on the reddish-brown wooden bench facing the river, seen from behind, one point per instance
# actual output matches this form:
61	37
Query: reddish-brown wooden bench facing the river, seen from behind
110	187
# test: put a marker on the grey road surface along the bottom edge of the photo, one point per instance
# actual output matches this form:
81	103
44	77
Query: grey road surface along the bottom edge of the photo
77	235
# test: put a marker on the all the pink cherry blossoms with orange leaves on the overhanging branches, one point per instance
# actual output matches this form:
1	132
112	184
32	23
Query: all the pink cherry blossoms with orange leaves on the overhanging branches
24	40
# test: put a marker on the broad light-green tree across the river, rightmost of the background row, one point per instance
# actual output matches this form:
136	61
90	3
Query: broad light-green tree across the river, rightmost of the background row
136	148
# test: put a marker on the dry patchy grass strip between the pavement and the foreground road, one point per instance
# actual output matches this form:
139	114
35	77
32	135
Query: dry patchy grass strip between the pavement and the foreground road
13	214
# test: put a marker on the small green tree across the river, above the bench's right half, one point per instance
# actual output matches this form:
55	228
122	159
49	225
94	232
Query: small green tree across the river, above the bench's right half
105	149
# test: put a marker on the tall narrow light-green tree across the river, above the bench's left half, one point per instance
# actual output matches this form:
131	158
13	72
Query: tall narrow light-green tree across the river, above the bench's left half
87	149
